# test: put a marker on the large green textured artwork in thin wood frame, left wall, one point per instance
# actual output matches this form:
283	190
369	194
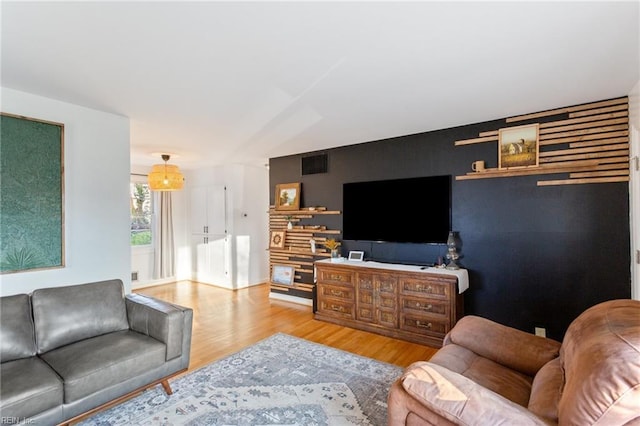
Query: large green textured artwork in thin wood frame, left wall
32	193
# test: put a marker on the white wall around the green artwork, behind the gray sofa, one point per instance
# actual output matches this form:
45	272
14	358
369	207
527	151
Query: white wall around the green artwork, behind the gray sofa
96	202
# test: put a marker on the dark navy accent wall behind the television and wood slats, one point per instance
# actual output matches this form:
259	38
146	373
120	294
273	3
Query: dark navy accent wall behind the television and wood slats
537	256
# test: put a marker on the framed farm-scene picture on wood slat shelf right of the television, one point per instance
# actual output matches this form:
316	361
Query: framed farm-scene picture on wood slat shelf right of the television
518	146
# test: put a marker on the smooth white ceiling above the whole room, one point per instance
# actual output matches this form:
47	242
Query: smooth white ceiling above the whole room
240	82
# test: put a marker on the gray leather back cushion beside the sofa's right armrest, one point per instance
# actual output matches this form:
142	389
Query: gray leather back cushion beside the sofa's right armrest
64	315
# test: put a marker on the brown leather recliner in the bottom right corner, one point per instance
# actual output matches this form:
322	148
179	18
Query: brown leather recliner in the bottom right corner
490	374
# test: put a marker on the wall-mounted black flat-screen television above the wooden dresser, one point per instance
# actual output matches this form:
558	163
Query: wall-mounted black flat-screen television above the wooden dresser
413	210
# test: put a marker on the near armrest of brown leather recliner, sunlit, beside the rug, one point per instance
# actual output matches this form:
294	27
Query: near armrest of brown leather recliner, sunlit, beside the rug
461	400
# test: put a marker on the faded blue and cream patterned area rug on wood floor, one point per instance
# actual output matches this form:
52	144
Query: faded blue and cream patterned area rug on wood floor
282	380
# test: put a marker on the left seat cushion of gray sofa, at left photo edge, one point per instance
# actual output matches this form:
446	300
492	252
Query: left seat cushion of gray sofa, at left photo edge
28	386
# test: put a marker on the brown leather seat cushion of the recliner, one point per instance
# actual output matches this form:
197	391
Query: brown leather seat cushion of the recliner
502	380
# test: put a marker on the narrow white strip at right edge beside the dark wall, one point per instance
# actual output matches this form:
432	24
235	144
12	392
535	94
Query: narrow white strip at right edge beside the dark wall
634	187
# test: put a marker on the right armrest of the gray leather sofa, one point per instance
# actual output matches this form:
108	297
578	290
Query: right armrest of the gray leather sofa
166	322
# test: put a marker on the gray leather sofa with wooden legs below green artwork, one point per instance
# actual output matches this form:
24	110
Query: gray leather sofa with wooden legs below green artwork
67	352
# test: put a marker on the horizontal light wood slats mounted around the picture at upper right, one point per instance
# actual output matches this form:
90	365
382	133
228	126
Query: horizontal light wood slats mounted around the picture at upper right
590	142
